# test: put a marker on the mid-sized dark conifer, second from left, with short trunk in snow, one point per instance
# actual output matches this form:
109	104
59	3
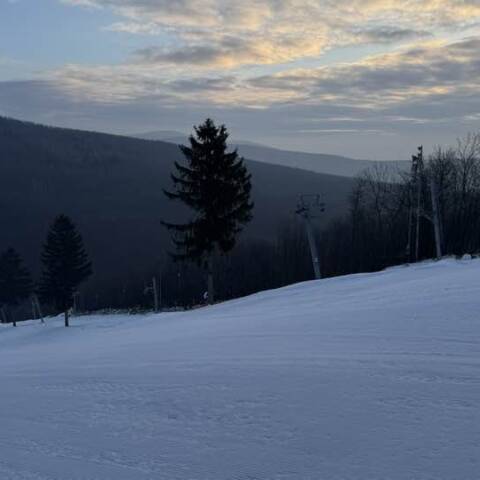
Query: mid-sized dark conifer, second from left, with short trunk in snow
65	263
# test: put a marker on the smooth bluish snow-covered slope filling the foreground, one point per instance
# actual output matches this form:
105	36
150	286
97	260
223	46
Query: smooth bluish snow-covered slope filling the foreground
372	376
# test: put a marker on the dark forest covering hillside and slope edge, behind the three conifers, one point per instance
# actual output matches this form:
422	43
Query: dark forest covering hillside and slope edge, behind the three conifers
113	188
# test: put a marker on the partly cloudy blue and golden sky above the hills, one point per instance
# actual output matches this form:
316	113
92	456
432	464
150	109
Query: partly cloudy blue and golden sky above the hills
363	78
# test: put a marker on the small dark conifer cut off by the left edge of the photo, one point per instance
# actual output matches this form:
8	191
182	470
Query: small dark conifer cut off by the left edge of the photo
15	281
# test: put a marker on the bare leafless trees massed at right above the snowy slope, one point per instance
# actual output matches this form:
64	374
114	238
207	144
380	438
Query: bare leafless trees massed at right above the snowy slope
387	208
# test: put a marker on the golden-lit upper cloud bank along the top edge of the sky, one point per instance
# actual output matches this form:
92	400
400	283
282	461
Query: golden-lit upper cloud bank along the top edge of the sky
231	34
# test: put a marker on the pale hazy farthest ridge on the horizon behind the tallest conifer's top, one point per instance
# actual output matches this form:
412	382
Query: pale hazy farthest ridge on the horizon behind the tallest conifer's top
315	162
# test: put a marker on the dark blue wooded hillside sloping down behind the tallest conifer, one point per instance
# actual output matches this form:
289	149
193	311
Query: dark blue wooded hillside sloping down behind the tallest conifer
112	187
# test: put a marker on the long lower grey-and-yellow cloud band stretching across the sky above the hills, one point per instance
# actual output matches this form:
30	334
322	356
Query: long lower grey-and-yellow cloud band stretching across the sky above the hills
422	84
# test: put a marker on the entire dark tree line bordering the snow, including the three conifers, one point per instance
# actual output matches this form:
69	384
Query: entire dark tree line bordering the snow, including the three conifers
389	221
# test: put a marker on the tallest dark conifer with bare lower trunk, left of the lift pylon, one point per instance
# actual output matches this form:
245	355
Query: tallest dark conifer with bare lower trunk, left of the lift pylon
216	185
